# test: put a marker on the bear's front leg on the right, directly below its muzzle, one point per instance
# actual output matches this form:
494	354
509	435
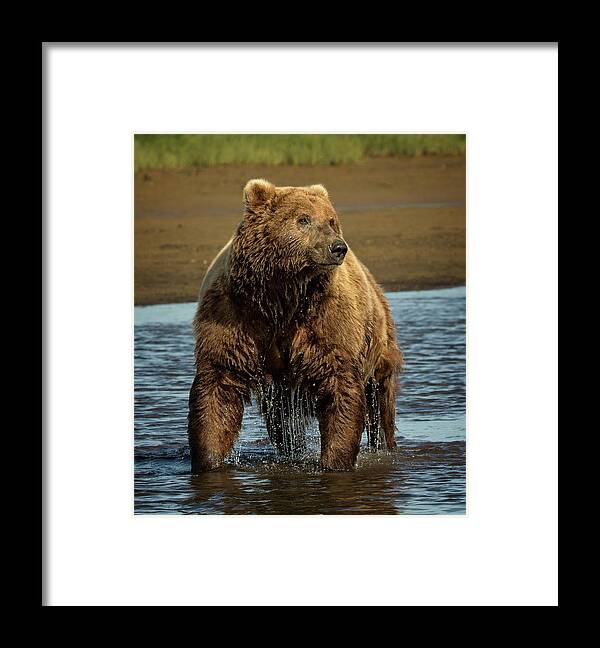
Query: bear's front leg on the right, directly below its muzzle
341	422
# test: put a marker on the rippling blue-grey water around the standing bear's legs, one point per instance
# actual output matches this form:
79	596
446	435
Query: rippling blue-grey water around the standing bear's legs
425	476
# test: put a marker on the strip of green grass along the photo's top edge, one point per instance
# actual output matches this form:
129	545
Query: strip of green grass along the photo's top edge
189	151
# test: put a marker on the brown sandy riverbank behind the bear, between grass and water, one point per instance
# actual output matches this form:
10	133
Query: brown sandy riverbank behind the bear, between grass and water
404	218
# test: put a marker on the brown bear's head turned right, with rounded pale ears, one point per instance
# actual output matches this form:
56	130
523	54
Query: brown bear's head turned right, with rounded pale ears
291	230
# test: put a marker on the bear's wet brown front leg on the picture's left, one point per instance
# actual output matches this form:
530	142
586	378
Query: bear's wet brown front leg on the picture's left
216	407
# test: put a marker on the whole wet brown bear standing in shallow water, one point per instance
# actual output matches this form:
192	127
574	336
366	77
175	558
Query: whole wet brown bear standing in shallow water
287	312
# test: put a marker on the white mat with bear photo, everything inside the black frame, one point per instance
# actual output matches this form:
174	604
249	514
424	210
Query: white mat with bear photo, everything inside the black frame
300	317
